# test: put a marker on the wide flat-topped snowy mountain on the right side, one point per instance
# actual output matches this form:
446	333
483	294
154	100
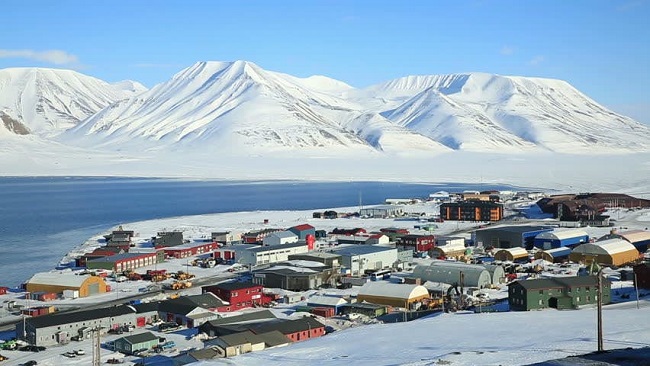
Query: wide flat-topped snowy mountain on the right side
481	112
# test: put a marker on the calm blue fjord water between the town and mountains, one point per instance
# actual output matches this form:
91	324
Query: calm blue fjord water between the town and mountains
41	219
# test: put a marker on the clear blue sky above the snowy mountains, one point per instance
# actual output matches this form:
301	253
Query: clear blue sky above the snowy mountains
600	47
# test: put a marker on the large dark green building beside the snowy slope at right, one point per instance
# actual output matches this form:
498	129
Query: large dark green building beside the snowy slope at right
557	293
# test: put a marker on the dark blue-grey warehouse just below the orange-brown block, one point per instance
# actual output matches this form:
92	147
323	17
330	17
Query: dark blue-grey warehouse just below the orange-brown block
508	236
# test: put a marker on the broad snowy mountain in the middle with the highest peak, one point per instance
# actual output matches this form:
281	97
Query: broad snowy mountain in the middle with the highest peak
237	106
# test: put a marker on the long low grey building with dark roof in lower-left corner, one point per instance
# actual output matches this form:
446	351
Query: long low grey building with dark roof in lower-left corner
59	328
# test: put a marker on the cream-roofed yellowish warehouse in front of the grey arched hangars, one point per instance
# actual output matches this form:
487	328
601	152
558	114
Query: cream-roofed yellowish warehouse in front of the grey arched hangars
393	294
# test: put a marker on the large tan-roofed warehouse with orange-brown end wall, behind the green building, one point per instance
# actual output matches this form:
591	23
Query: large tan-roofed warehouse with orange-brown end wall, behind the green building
613	252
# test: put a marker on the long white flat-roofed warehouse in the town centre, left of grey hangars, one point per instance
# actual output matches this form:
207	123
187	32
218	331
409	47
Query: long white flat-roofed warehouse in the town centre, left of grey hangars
358	258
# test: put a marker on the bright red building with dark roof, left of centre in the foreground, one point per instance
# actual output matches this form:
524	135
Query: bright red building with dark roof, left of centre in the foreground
239	294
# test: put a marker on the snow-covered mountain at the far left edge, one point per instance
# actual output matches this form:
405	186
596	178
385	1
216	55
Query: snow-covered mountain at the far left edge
48	101
